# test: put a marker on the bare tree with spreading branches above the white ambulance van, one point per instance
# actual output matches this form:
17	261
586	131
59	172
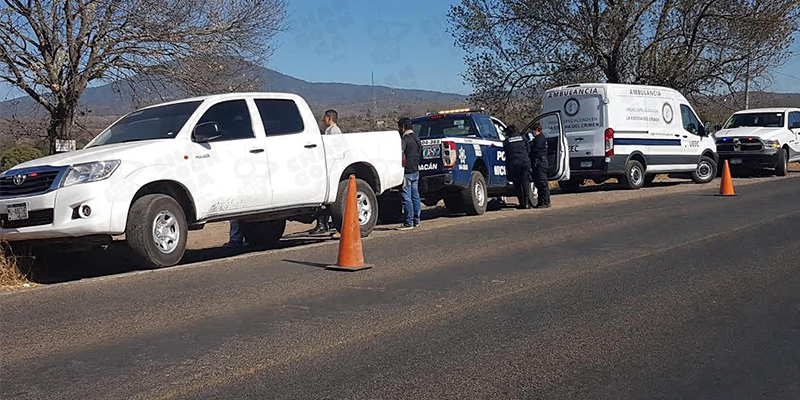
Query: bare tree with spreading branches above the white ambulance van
701	47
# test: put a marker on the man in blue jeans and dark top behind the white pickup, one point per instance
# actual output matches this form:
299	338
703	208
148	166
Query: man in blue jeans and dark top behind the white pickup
412	153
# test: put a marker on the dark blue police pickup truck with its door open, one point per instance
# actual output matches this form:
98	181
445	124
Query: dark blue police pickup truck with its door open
463	162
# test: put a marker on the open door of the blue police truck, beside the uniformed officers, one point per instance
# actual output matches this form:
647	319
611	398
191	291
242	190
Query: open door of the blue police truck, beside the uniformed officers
557	149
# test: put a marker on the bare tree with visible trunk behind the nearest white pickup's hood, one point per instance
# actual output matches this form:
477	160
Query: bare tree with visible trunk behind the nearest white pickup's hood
53	49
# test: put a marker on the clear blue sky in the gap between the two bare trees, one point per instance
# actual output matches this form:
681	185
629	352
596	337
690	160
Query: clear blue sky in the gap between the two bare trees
404	43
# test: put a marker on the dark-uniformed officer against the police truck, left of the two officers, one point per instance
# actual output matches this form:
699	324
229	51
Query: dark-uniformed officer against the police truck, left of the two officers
518	162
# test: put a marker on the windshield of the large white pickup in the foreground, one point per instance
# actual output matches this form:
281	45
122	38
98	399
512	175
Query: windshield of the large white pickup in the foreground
163	122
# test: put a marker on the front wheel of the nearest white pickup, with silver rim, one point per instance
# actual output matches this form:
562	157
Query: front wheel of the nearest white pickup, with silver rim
156	230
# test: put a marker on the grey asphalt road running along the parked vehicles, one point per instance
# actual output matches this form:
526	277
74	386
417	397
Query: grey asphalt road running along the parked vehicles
676	296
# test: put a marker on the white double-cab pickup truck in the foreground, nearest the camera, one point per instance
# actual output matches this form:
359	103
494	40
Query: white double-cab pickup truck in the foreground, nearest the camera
163	170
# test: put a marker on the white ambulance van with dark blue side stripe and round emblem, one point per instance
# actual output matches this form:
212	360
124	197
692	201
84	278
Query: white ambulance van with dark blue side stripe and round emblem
631	133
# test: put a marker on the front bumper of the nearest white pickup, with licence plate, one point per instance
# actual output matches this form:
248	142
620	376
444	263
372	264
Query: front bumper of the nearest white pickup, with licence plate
56	214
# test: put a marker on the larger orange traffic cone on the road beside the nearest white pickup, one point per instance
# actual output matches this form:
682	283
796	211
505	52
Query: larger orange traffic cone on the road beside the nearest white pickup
351	254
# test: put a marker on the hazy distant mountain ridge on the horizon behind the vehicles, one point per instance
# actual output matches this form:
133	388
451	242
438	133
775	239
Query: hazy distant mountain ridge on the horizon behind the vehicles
114	100
